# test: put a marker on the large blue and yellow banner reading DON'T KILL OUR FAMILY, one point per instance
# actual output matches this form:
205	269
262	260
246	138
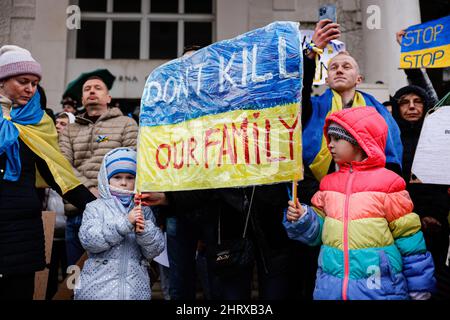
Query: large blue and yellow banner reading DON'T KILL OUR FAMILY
228	115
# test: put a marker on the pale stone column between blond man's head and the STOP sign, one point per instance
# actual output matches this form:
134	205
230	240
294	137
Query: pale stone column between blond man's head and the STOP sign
381	51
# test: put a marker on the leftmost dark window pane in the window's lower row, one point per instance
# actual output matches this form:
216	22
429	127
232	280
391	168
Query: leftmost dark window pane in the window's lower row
91	39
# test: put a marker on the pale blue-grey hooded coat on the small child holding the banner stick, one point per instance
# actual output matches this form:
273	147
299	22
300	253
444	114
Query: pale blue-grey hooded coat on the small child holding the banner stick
117	265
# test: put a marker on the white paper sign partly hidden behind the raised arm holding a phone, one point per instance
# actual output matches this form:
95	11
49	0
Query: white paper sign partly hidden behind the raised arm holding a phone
331	50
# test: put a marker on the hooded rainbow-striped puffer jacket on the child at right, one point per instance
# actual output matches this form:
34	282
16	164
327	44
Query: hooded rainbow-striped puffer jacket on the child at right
372	246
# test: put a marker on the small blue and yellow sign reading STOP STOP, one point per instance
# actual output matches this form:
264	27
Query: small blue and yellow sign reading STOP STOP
426	45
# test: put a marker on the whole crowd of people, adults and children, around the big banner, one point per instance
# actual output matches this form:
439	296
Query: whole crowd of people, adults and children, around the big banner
361	227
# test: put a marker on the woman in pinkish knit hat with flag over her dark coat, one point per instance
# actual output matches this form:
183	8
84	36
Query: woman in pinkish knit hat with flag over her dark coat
29	158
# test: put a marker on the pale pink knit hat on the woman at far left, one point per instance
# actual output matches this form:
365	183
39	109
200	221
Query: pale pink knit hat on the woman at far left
15	60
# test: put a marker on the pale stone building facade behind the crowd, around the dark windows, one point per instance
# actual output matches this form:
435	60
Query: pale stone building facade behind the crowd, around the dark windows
41	26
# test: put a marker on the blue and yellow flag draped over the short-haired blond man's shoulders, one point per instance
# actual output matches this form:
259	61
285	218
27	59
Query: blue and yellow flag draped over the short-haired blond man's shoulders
315	152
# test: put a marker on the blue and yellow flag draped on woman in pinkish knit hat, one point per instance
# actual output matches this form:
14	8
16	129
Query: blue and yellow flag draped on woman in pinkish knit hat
35	128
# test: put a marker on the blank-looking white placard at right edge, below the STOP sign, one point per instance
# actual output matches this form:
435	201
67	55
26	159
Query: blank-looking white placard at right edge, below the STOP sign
432	159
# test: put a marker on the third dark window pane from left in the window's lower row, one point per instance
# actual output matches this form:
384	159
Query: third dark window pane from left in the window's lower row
163	40
